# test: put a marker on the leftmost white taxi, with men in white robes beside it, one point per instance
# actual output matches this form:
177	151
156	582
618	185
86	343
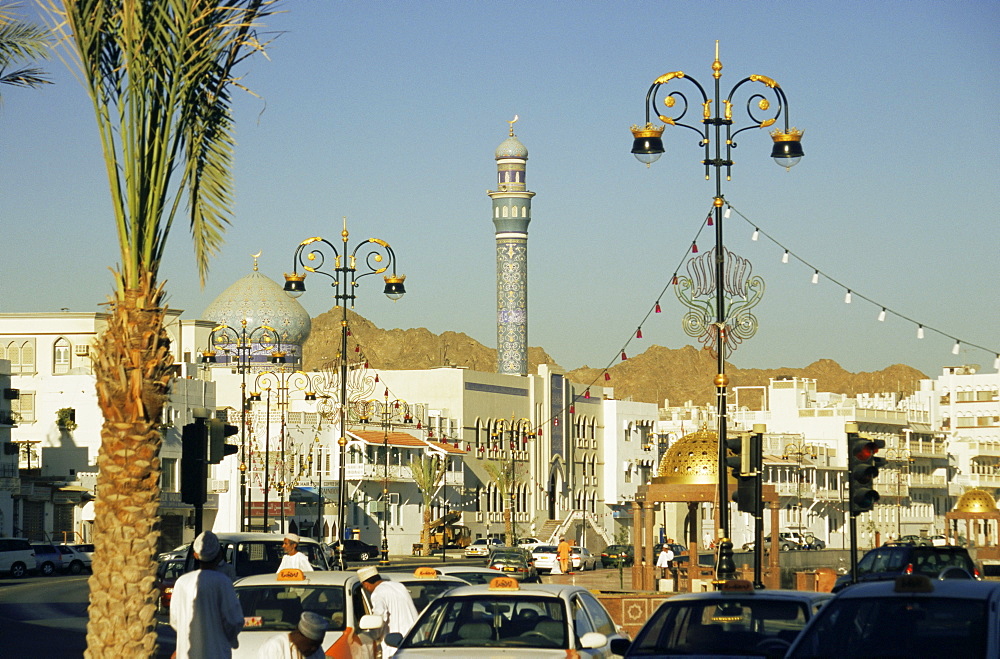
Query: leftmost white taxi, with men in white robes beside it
272	604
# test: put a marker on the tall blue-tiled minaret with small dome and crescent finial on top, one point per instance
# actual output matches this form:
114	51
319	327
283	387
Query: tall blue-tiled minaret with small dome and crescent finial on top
511	215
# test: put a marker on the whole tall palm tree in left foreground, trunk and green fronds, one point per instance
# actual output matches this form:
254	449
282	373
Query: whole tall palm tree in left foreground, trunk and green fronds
158	73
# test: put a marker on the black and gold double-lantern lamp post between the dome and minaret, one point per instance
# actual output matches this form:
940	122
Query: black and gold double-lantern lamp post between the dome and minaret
376	257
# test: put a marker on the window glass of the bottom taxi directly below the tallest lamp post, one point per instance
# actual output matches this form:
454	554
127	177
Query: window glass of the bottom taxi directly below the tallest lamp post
730	626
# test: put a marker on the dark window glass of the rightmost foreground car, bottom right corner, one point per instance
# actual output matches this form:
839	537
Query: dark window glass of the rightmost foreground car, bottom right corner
898	627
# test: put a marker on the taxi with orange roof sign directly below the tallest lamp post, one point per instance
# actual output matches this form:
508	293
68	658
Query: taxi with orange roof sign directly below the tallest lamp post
735	620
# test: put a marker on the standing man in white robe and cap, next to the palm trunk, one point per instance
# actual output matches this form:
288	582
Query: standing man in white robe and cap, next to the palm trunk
204	610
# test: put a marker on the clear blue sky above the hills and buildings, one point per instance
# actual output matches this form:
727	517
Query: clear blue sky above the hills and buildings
389	114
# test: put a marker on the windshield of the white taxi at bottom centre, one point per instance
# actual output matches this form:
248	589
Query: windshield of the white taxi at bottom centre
490	621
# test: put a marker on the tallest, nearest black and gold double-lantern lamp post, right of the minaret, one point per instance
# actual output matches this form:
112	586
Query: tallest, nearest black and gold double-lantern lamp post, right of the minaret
717	137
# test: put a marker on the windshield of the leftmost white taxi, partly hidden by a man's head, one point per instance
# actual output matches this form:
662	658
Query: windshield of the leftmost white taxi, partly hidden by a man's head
278	608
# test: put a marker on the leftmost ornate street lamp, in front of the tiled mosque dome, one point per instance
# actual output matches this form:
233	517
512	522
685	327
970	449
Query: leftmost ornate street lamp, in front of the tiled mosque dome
243	348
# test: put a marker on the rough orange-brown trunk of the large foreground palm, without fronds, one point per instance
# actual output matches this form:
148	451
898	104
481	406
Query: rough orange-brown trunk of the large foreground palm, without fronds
133	369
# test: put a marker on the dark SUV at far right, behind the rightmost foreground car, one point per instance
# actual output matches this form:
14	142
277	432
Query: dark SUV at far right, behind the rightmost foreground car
890	561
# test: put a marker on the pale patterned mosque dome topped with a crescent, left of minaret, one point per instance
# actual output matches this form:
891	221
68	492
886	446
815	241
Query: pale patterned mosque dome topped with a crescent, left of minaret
261	301
